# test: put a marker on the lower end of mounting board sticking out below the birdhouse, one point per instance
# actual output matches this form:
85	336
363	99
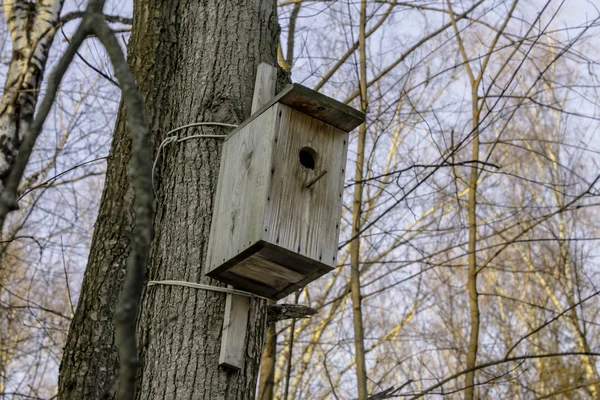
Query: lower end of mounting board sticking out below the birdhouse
234	331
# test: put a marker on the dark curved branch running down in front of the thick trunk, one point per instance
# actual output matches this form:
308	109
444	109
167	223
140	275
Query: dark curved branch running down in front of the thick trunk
140	175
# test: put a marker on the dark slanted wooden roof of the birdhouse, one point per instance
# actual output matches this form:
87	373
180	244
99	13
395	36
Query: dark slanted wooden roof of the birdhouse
316	105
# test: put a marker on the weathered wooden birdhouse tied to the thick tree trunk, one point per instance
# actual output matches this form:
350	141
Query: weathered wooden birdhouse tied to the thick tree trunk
278	204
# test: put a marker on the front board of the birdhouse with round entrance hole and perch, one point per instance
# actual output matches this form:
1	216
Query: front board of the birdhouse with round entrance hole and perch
306	221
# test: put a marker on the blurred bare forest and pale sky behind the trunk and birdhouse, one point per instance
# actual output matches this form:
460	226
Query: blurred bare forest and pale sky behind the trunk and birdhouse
473	187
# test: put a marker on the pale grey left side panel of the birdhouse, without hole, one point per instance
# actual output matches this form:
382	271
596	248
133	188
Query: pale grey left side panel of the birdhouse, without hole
242	189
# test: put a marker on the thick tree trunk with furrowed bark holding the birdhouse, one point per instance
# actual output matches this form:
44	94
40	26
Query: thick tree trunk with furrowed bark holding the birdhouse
194	61
